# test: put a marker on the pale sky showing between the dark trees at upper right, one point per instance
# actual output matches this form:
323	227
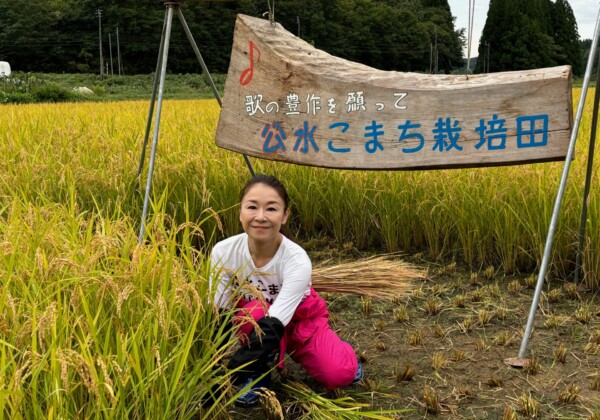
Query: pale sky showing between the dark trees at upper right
585	11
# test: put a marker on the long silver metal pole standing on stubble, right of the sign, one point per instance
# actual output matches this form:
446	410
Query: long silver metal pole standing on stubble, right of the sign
561	190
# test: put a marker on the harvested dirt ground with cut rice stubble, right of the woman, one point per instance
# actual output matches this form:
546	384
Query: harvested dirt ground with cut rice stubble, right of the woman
439	351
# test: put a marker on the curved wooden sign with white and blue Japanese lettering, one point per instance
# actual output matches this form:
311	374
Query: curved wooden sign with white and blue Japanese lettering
285	100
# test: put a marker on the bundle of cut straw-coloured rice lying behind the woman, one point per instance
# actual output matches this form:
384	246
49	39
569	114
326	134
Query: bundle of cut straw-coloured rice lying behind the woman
378	276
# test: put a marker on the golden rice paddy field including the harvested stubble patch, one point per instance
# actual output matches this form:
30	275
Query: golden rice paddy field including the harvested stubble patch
92	325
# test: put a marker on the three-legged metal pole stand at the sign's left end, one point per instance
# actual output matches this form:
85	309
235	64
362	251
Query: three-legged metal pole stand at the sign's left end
158	87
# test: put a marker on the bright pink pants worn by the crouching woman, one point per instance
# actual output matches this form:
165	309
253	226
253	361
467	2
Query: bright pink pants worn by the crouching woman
309	339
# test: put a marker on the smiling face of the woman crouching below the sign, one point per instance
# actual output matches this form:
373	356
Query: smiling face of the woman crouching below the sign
262	213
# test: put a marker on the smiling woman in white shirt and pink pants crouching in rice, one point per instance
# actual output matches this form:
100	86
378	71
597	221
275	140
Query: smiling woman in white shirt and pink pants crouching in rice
292	317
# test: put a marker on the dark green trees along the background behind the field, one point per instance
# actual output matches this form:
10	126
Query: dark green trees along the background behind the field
401	35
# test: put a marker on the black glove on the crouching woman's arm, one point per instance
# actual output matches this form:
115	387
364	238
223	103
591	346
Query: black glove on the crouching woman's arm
259	352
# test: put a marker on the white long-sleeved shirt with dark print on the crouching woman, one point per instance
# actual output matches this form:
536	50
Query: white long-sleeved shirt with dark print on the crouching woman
284	281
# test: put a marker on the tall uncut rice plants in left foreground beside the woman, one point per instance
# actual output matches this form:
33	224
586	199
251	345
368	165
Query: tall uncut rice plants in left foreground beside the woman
91	323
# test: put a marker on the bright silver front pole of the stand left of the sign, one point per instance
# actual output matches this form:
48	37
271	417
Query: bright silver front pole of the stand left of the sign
163	72
